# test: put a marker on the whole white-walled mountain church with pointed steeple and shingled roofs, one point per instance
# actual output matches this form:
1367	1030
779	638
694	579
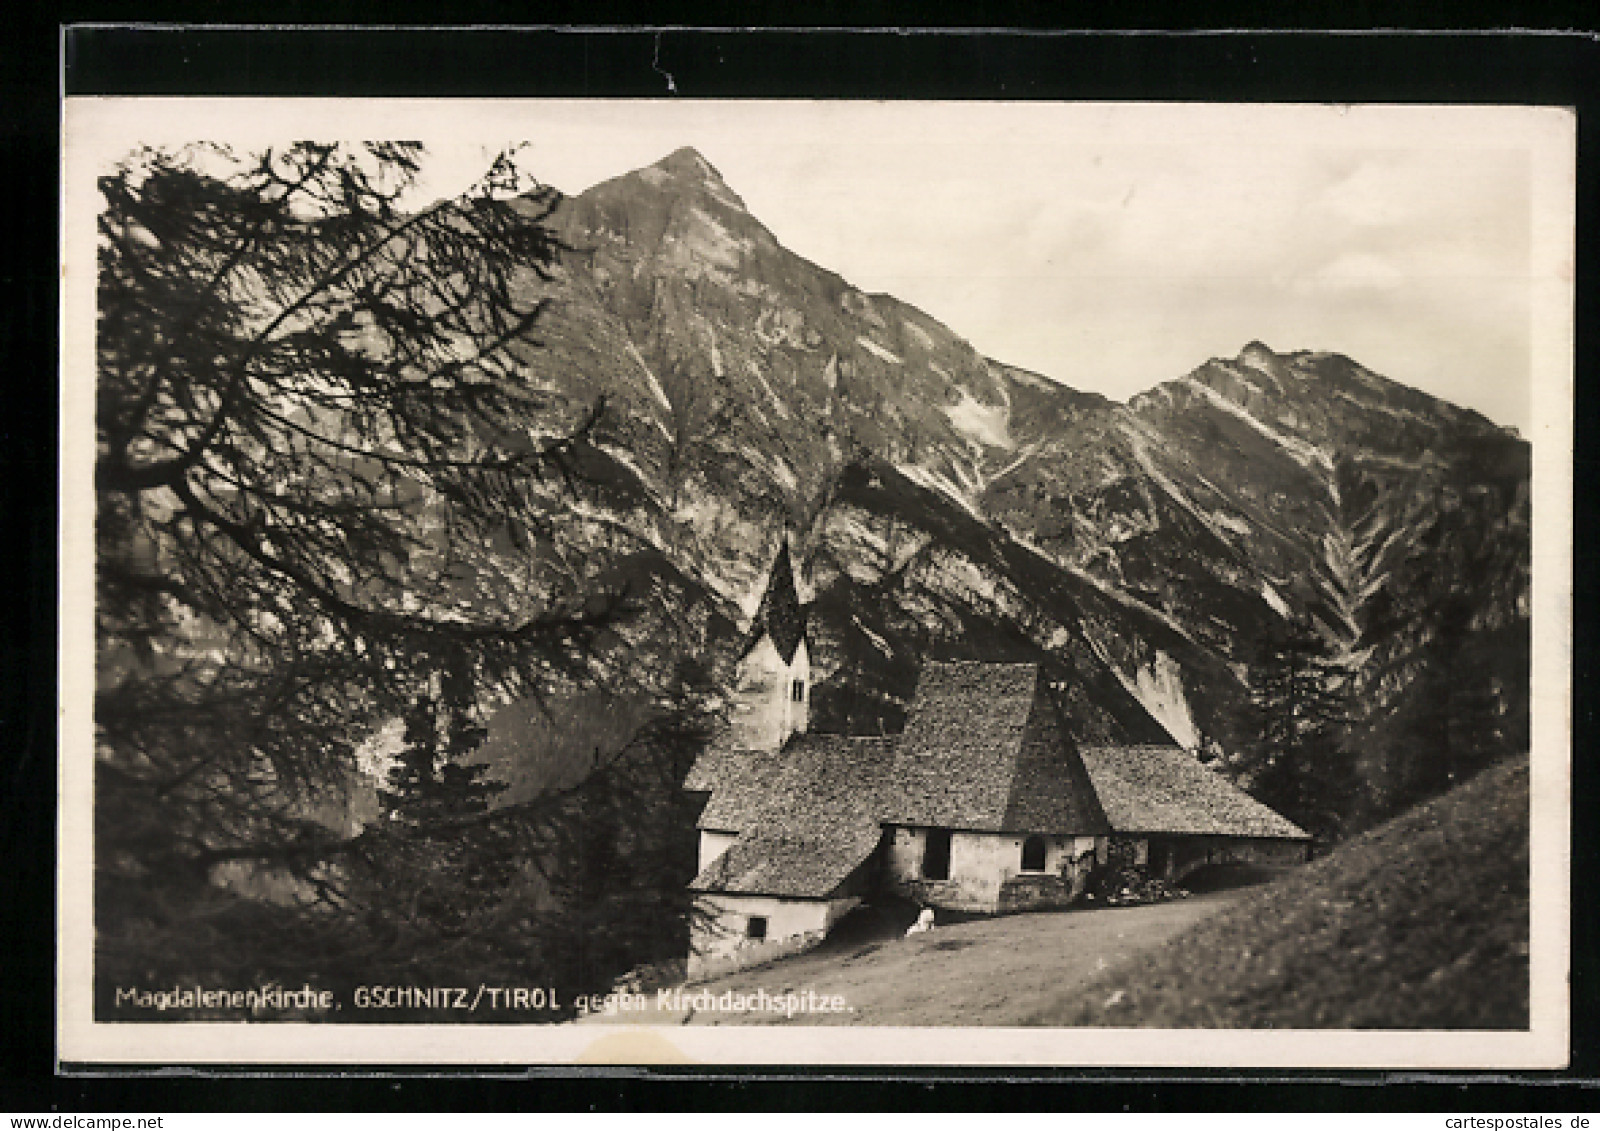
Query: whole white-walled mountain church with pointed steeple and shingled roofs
985	802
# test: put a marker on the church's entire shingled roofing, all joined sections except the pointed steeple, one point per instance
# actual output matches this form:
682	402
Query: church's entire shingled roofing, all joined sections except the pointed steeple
985	749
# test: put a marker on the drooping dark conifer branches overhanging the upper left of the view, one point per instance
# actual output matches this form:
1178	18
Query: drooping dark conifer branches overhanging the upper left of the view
314	428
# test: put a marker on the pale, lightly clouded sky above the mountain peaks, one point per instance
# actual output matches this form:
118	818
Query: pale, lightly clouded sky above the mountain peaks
1110	247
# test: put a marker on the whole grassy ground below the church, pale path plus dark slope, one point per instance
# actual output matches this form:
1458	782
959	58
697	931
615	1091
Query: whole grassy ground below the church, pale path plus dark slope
1418	924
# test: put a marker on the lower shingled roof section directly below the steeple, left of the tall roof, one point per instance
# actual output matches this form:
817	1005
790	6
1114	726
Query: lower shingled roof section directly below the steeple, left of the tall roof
809	817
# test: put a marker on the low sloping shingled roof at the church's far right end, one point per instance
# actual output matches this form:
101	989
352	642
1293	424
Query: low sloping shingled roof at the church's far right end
1164	789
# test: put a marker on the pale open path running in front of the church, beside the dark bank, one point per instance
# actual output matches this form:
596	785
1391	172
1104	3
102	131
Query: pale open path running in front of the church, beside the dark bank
982	973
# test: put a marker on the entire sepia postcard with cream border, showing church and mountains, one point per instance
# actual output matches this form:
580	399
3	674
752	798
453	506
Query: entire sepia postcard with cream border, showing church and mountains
815	583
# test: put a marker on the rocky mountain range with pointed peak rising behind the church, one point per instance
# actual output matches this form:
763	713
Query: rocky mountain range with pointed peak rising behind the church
945	503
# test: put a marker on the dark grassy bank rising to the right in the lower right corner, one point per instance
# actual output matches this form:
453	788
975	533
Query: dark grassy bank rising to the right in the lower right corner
1422	924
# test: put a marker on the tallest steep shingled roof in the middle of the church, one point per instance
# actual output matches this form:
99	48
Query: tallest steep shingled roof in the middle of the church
983	751
